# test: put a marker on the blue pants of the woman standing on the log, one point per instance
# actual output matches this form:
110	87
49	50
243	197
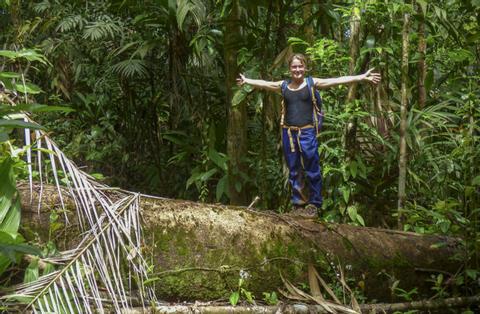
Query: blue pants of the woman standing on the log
300	147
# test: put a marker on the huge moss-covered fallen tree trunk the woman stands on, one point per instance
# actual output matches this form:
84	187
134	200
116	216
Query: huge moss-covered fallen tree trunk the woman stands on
199	251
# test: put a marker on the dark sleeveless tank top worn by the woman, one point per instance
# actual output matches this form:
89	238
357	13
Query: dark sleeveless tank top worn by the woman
298	107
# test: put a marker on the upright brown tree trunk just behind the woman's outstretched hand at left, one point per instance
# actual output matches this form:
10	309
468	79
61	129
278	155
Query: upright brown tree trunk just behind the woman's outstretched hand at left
237	115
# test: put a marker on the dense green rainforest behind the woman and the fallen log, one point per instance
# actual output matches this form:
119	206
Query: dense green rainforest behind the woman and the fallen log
156	108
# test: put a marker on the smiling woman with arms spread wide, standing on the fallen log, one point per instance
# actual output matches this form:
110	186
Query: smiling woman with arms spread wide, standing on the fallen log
300	145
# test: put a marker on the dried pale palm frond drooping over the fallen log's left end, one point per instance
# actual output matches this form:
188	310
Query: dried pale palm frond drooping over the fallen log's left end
107	264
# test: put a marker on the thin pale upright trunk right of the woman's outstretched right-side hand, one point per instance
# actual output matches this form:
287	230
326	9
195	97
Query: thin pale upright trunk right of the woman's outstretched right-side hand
402	161
